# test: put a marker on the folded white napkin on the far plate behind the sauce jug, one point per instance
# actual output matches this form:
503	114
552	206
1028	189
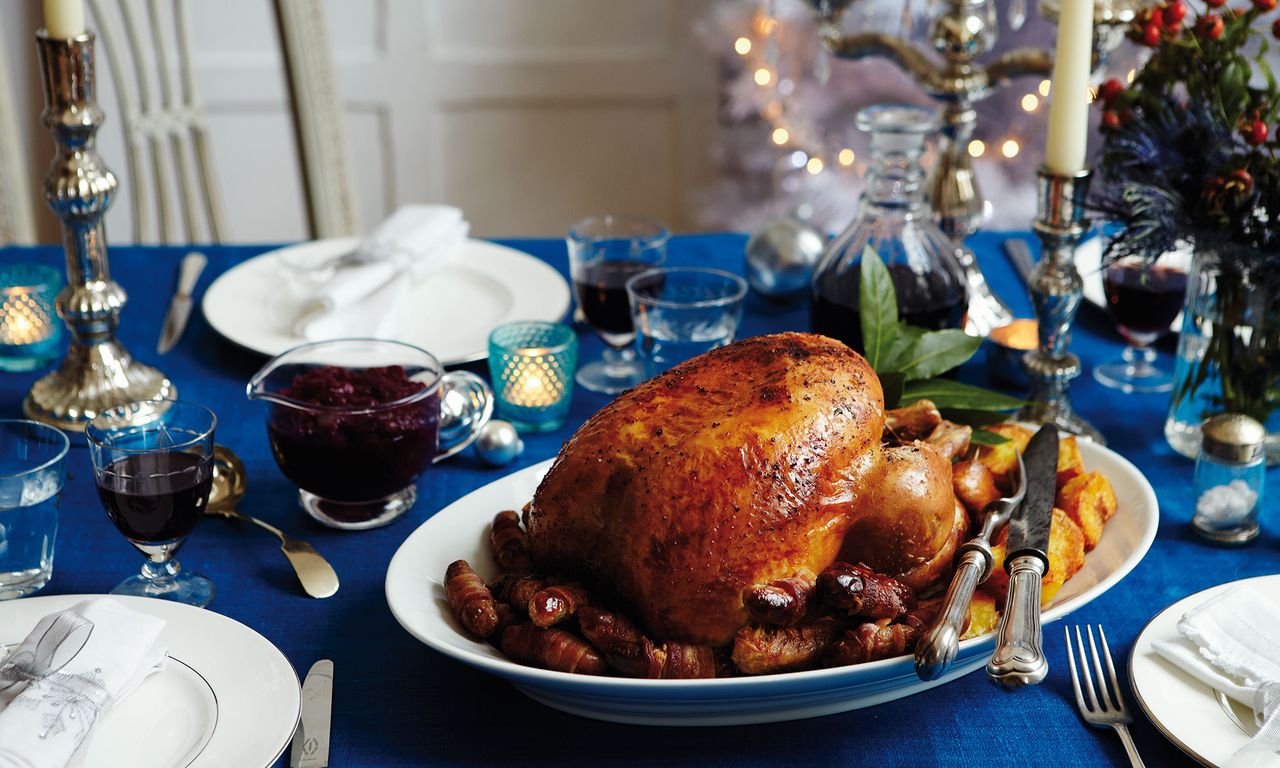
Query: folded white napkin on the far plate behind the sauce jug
367	295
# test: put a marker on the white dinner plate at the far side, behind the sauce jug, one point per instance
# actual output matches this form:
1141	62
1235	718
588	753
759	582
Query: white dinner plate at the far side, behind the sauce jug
450	316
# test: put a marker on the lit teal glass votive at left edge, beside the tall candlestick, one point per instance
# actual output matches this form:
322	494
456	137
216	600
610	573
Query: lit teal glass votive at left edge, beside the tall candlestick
31	332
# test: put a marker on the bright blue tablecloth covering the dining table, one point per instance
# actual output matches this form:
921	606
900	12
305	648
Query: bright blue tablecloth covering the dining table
399	703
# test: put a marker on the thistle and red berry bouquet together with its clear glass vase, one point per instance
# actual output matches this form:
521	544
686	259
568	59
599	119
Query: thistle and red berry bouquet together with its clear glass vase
1192	153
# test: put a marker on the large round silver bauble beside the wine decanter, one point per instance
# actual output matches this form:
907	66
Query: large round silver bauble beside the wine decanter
781	258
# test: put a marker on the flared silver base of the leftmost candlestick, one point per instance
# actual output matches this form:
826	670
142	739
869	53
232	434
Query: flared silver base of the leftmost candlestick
93	380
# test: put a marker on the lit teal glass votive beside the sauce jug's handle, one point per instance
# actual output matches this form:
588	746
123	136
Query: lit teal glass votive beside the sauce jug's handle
532	365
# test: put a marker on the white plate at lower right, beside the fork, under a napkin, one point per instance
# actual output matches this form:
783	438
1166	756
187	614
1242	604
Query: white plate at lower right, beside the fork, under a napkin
1205	726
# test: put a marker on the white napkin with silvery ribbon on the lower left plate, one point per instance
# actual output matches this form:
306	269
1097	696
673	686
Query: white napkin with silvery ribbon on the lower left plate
75	665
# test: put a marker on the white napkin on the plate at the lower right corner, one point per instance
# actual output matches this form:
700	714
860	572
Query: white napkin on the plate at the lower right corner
1232	643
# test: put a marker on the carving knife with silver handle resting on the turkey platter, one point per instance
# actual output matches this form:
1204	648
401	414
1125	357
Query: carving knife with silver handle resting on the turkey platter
1020	659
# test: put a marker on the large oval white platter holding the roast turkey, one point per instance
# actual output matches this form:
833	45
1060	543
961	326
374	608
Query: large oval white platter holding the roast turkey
418	602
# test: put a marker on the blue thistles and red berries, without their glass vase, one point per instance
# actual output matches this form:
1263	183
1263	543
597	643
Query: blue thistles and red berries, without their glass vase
1192	148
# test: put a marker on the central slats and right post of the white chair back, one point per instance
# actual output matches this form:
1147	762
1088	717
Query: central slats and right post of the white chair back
167	141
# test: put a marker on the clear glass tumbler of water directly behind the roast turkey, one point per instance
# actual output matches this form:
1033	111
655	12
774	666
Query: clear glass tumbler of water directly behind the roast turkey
680	313
